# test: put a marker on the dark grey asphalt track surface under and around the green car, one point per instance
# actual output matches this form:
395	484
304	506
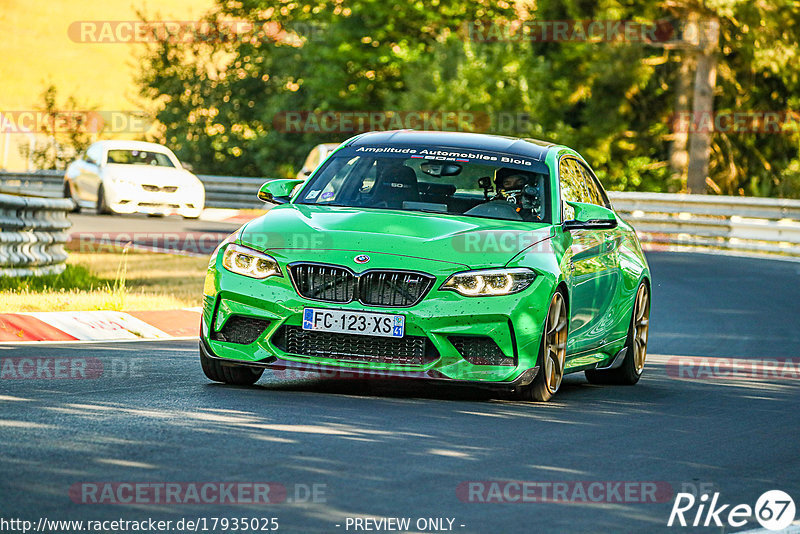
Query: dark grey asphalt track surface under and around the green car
402	450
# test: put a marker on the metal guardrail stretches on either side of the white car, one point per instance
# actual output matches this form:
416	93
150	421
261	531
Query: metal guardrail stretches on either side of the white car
221	191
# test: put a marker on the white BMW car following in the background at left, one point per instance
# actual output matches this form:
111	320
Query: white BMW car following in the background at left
133	177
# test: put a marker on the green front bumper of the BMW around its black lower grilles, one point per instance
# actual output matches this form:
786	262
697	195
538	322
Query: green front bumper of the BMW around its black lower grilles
513	322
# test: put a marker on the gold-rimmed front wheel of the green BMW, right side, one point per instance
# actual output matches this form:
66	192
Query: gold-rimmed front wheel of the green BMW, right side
552	353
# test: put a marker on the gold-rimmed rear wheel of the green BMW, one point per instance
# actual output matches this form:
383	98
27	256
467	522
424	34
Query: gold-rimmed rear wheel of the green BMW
632	366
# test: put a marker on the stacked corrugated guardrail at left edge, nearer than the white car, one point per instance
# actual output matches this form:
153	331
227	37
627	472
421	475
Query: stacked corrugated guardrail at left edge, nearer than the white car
32	235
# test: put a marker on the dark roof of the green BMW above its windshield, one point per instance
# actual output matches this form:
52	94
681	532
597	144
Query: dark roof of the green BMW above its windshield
532	148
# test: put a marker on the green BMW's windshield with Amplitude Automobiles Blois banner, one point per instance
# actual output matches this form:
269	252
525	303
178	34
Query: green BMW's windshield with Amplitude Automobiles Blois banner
496	187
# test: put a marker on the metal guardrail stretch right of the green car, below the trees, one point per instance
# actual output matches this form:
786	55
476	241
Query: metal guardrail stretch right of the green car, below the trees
739	224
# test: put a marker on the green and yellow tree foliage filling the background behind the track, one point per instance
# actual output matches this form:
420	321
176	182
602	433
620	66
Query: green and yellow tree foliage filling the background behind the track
220	101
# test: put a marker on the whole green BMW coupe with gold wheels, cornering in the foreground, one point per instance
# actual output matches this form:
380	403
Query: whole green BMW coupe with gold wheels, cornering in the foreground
451	257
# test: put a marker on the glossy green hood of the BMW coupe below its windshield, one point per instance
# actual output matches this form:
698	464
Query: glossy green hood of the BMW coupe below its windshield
332	234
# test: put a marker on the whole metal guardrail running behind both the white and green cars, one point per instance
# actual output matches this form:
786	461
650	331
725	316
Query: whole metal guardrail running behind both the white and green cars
744	224
